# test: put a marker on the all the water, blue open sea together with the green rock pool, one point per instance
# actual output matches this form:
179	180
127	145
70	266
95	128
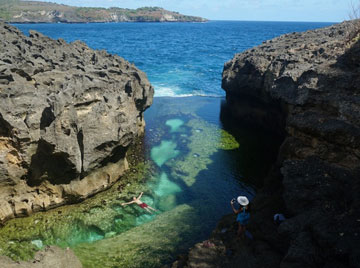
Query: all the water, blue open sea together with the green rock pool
198	165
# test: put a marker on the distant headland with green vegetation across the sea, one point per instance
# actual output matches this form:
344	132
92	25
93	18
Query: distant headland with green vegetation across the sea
17	11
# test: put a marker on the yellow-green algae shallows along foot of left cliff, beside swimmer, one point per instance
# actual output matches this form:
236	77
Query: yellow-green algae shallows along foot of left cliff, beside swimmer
69	225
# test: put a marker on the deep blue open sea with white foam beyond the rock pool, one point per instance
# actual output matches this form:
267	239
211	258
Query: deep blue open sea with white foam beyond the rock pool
180	59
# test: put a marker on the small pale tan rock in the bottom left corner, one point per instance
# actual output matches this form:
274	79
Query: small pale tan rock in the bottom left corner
51	256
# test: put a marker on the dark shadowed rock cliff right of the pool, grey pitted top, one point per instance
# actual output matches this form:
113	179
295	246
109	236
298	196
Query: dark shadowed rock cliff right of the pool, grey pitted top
306	87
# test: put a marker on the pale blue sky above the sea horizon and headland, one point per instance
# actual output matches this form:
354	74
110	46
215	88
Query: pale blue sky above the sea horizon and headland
260	10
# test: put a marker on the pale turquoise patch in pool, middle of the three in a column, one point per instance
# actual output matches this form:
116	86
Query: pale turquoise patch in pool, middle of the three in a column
164	152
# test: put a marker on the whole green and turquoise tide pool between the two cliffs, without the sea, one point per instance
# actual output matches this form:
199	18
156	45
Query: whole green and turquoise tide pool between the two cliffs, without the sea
189	168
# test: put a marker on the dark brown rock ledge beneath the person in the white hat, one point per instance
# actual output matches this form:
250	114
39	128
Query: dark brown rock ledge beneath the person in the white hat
225	249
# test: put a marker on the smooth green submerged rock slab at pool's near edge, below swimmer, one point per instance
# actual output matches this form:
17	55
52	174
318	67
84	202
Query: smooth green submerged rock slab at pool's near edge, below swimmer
149	245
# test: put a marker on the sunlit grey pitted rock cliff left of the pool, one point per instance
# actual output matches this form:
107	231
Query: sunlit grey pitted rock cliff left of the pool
67	115
